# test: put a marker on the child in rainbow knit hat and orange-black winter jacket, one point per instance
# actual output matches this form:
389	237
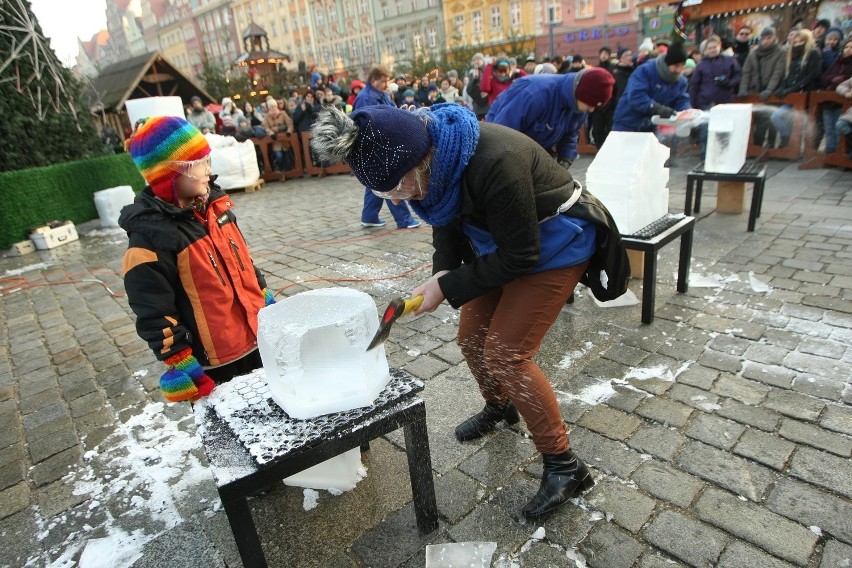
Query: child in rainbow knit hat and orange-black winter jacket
187	271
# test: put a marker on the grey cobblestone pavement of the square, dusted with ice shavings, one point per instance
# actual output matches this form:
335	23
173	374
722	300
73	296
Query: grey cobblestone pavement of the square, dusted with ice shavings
720	435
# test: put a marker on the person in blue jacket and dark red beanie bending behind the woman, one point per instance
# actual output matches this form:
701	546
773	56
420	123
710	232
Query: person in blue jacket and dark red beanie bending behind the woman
551	109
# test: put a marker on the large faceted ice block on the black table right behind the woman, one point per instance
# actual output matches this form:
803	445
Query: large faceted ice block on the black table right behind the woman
629	176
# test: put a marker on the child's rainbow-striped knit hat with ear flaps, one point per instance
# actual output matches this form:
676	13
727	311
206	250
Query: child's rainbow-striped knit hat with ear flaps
161	139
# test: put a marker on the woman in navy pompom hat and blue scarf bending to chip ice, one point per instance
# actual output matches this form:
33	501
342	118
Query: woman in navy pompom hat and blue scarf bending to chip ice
513	235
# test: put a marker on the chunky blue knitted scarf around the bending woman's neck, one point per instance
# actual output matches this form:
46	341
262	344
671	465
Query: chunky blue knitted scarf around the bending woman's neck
455	133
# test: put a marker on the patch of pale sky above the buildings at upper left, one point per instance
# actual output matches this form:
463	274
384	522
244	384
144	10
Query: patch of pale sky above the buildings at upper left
64	21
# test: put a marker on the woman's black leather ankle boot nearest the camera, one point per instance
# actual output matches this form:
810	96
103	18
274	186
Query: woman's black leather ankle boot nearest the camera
564	475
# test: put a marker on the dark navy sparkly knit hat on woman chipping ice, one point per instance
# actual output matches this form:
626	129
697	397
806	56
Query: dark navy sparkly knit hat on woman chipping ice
391	142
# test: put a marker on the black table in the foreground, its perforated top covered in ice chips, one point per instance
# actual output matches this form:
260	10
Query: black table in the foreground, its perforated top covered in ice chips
252	443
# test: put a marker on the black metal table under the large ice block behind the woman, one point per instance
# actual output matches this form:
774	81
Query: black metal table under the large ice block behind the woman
649	240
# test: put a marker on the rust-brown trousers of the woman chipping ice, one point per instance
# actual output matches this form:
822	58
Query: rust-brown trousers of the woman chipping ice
501	331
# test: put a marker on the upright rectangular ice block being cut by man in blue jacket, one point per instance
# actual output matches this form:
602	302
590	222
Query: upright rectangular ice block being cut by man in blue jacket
727	138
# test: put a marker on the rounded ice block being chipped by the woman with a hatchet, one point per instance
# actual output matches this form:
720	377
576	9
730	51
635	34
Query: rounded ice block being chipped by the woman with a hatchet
314	350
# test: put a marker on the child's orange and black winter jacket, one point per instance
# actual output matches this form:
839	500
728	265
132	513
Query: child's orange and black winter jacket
191	282
